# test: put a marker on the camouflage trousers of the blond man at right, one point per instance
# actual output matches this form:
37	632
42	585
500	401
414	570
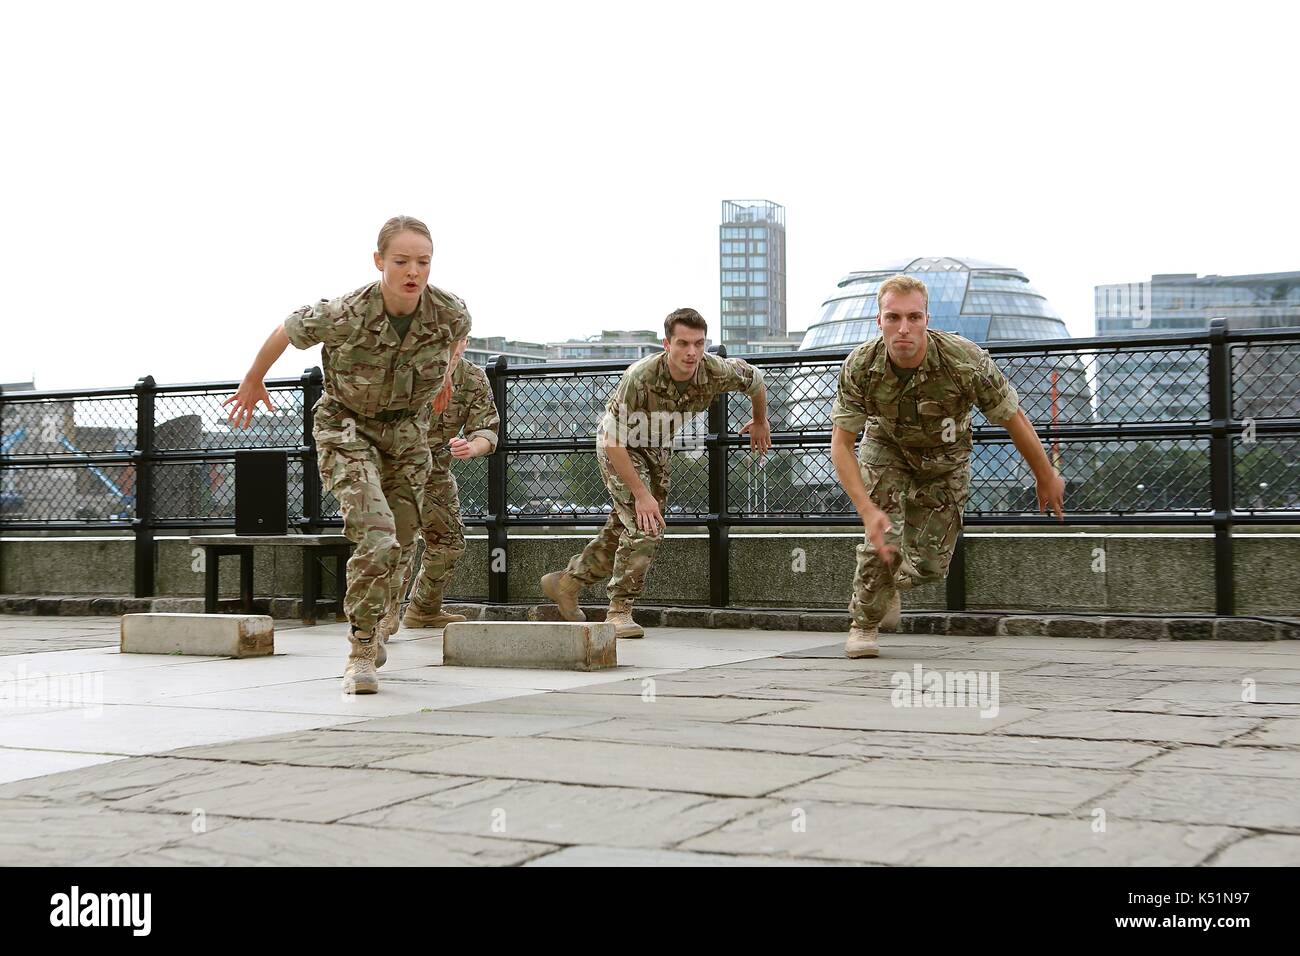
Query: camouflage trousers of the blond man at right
925	494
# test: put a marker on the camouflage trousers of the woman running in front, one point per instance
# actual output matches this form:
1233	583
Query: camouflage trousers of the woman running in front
378	471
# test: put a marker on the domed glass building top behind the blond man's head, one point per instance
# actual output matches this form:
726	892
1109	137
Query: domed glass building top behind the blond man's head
980	301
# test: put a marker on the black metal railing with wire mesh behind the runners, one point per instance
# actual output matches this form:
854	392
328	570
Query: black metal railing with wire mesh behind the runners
1198	429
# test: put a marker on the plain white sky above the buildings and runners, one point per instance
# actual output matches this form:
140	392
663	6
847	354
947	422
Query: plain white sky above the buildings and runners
179	179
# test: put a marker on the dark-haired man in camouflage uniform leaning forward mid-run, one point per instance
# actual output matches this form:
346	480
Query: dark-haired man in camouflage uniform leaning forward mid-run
634	443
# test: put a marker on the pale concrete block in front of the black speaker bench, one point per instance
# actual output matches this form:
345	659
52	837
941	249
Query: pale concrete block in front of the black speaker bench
201	635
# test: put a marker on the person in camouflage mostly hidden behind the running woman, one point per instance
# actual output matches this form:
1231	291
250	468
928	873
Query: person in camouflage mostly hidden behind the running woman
474	410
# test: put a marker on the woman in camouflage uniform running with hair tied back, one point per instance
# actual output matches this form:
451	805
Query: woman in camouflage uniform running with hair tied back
387	356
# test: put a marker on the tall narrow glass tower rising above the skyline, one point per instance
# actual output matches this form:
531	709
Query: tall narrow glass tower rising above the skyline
752	266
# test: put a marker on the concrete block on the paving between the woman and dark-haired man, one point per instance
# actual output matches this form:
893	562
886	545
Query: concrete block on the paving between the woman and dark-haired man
556	646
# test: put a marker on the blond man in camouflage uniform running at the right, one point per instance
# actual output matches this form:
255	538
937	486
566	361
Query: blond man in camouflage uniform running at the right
915	387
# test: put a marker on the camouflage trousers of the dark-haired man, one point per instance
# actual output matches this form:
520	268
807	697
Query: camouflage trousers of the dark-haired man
622	552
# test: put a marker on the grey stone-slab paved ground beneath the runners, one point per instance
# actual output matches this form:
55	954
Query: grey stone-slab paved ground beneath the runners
705	747
